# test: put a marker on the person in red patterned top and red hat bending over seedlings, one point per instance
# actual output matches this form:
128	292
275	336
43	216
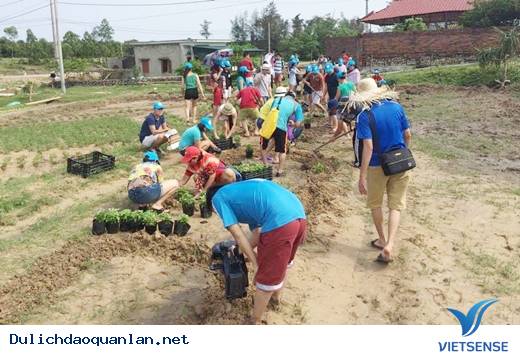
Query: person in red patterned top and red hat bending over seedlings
208	169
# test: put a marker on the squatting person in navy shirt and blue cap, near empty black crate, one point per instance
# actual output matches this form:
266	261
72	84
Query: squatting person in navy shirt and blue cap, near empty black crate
154	129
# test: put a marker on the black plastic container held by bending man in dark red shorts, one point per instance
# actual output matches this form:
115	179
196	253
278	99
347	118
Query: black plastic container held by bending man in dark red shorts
227	257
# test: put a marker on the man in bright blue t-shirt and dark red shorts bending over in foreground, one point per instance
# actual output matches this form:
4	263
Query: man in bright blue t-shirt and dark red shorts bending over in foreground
277	221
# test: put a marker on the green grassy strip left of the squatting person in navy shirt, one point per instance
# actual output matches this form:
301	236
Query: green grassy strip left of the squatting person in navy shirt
99	130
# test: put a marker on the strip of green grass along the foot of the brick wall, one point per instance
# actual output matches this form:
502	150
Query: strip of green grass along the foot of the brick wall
459	75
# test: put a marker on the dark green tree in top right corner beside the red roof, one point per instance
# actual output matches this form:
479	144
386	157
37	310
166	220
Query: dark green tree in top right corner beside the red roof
491	13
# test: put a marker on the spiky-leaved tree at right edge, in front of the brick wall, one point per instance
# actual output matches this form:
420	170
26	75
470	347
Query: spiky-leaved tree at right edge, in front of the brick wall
501	56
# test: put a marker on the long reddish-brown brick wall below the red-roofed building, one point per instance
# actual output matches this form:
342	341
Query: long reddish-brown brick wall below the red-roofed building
412	48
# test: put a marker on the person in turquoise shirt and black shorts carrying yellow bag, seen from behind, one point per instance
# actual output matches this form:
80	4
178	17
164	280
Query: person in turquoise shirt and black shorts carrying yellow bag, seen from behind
288	107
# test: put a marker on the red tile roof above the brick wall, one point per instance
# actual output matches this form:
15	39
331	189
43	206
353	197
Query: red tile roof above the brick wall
408	8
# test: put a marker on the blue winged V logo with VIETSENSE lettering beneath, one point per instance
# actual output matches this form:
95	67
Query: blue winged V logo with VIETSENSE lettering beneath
469	323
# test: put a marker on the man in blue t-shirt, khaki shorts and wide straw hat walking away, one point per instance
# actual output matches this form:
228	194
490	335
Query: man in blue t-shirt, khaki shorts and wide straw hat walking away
393	130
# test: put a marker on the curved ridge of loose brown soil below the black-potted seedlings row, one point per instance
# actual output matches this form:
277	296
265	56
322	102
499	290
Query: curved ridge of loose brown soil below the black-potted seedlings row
57	270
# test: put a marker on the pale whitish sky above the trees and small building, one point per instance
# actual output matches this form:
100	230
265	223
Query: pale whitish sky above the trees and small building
156	22
